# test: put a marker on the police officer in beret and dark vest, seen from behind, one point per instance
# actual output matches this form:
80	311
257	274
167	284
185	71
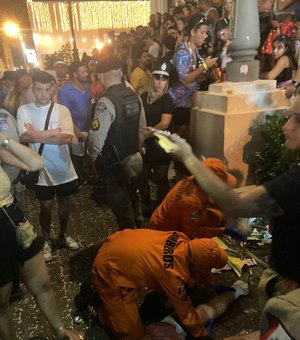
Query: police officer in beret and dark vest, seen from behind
117	132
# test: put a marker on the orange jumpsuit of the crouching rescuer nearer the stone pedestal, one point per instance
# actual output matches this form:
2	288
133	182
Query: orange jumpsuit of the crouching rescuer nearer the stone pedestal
187	208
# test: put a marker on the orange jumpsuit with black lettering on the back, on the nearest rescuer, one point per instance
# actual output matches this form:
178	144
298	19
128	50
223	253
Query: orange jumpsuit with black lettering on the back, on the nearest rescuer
132	261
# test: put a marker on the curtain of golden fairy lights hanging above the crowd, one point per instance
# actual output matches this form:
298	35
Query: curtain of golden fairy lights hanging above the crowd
88	15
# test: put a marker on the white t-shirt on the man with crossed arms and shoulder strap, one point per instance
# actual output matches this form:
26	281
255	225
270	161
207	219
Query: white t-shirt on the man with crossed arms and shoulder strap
58	165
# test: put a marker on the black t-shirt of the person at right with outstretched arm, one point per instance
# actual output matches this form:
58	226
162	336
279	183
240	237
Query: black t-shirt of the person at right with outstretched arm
285	249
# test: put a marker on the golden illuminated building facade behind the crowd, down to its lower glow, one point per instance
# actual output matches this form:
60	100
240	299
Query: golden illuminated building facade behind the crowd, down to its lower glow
92	20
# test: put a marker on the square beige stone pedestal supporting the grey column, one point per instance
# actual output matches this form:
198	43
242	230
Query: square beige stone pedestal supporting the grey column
224	120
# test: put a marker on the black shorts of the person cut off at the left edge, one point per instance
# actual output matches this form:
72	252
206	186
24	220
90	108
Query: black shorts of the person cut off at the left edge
12	255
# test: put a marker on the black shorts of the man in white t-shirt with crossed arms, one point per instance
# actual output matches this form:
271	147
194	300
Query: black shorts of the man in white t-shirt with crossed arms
46	193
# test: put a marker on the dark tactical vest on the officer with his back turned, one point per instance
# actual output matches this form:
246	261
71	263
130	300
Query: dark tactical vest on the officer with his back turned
123	134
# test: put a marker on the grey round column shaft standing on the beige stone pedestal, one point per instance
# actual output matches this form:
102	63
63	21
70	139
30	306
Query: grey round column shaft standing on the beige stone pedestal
245	39
